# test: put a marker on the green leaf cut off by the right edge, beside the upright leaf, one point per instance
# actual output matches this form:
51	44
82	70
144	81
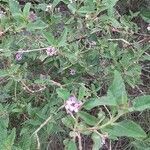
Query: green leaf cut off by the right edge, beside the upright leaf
141	103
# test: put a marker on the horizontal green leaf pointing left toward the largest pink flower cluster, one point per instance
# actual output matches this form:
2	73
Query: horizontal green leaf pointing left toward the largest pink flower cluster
105	100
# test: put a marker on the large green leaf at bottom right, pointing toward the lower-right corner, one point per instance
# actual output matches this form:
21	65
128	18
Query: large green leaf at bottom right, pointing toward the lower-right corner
126	128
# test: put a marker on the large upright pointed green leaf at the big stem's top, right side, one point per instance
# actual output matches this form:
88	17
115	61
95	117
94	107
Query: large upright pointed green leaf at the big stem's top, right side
117	89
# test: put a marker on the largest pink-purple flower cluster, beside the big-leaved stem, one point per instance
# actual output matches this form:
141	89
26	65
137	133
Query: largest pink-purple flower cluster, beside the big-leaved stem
72	105
